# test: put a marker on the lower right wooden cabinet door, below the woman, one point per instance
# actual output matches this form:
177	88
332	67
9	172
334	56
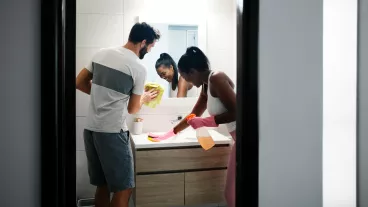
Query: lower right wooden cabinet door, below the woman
204	187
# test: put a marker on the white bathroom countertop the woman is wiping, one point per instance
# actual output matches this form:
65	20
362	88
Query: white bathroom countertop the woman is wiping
182	139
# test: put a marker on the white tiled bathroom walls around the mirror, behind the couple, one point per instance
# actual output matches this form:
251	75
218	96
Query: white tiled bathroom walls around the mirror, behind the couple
105	23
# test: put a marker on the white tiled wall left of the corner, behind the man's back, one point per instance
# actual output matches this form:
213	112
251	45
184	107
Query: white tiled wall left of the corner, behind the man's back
99	25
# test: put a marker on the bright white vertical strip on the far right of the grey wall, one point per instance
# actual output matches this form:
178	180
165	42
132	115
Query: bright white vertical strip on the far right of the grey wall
339	102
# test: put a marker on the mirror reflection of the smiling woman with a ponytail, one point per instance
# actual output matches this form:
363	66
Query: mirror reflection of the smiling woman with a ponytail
166	68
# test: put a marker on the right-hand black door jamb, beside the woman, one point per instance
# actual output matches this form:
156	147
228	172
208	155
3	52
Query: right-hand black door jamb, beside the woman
247	143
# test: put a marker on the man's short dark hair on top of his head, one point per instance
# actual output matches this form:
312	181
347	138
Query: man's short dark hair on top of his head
143	31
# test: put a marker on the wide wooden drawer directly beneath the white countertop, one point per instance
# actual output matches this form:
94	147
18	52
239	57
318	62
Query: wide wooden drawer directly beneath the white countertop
181	159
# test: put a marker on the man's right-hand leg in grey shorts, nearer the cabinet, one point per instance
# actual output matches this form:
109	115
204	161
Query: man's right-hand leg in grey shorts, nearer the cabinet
116	158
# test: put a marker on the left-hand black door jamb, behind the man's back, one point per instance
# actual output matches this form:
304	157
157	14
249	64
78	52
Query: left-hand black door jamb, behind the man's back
58	98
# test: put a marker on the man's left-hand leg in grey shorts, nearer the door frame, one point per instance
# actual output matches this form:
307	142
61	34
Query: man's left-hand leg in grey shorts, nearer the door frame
96	175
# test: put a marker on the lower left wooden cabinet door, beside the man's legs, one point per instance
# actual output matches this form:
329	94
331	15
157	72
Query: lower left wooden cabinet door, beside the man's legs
162	190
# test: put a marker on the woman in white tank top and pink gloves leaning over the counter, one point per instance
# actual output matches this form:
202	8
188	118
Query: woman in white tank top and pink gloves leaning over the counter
218	97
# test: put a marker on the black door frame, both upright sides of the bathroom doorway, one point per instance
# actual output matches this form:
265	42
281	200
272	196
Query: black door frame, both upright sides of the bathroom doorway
58	102
